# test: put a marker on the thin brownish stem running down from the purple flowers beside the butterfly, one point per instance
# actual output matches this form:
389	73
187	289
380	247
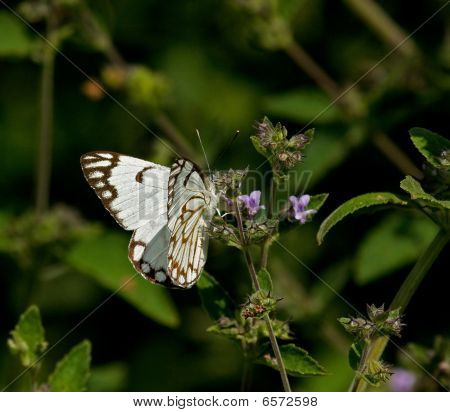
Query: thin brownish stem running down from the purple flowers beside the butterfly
257	287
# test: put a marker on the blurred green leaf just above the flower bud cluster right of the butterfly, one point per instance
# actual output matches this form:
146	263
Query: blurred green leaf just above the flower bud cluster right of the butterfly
301	106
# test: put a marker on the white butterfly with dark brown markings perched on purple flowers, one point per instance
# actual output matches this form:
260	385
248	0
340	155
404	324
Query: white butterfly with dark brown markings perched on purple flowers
169	211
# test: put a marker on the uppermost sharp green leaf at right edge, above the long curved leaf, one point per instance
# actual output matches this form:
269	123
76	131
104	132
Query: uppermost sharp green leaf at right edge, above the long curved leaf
431	146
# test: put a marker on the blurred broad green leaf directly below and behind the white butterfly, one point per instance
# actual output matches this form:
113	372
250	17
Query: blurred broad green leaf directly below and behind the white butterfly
104	258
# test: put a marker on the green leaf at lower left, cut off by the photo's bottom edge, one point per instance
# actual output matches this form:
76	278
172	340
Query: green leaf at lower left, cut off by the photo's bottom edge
72	372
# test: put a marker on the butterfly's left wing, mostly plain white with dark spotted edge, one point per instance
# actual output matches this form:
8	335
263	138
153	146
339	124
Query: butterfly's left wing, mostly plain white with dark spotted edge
134	191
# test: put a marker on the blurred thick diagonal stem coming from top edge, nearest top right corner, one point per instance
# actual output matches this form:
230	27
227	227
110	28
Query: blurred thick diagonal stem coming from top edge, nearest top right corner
383	25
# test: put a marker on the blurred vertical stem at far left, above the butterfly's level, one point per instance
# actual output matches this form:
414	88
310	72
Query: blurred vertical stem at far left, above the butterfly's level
46	129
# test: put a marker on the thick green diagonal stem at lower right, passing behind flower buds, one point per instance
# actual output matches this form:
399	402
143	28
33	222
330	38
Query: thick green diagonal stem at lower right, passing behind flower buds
404	295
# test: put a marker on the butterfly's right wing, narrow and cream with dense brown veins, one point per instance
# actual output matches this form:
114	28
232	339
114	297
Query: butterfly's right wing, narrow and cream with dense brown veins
191	200
